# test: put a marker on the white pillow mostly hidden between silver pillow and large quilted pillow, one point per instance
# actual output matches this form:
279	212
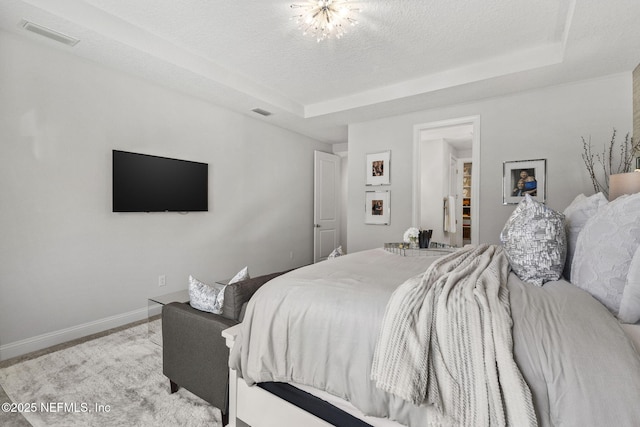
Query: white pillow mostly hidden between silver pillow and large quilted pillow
576	216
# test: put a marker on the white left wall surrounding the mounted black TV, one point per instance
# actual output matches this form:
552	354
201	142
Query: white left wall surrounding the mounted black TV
68	265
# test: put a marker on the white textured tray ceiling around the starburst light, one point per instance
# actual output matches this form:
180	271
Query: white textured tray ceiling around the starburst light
405	55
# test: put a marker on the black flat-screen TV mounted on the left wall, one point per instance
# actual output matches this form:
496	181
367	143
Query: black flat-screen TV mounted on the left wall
144	183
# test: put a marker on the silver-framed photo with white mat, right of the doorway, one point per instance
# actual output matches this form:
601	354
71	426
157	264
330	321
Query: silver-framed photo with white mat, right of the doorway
524	177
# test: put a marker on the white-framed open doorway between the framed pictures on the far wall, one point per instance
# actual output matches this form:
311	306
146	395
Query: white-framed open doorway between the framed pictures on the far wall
438	193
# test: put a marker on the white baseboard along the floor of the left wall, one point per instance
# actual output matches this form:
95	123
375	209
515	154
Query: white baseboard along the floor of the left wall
19	348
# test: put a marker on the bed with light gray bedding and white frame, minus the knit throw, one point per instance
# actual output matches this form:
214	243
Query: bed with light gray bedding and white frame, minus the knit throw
317	331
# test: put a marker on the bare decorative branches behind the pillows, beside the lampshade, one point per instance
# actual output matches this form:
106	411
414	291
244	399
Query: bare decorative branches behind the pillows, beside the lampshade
612	160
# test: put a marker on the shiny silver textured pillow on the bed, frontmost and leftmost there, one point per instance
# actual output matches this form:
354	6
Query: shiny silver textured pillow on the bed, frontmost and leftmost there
534	241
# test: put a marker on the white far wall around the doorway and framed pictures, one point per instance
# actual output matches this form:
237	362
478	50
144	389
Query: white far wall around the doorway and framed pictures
541	124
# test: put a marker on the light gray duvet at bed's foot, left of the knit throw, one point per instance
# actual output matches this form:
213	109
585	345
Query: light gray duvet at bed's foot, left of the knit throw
314	327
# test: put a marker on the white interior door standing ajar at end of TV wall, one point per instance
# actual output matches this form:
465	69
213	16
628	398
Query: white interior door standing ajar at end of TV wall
326	218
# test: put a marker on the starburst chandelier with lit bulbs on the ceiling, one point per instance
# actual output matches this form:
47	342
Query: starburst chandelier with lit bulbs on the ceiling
325	18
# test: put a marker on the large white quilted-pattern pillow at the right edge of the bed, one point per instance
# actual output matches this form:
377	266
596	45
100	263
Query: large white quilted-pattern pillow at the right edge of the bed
604	251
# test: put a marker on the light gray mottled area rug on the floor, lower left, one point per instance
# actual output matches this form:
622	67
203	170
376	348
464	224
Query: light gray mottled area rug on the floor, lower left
115	380
